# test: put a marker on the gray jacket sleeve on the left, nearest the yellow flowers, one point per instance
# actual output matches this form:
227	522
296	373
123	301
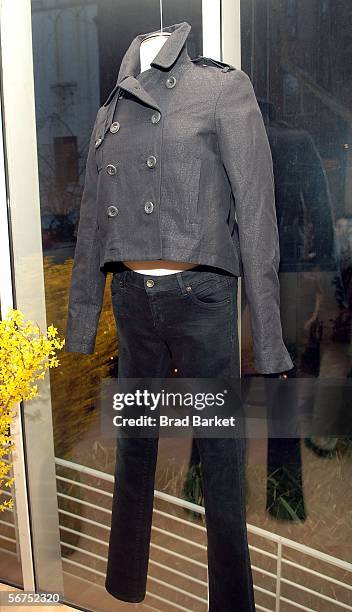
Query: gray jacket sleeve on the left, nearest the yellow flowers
87	280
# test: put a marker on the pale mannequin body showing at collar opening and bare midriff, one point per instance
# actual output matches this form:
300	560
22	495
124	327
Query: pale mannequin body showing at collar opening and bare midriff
148	50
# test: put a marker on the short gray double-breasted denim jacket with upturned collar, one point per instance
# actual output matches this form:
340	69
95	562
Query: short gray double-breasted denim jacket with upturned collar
179	167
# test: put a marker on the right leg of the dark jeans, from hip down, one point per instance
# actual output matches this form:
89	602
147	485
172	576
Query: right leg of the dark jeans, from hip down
204	343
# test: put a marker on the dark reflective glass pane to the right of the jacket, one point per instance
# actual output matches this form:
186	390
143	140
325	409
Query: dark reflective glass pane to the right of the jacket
297	55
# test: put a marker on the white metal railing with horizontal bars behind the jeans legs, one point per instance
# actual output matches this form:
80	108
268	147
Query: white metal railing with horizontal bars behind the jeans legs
282	546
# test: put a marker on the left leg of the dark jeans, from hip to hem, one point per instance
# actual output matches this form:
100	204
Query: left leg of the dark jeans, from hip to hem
141	354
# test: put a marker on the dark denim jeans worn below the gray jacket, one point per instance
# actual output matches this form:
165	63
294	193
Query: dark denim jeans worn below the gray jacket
189	320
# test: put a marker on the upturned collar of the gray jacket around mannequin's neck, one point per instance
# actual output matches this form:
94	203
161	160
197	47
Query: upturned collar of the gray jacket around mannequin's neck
173	47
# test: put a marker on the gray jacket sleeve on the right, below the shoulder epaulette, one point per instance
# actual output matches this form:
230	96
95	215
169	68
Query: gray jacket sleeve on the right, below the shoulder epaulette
246	156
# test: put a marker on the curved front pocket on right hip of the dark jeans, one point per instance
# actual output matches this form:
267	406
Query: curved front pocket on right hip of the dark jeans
211	293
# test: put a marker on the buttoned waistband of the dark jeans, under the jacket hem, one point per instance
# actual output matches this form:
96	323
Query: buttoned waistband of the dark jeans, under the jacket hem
174	280
